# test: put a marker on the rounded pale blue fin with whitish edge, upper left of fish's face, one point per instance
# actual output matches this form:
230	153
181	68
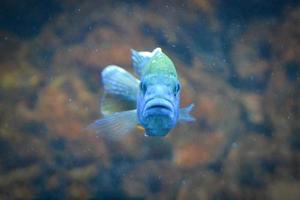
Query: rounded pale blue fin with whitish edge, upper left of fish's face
120	82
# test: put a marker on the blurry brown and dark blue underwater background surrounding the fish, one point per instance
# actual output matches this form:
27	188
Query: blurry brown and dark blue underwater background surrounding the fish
238	62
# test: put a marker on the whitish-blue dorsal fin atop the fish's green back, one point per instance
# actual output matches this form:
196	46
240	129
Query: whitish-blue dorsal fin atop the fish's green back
141	58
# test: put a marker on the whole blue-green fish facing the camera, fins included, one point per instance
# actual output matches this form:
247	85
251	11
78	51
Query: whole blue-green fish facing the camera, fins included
150	102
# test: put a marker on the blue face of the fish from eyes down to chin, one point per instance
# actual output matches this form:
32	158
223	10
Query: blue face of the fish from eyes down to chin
158	106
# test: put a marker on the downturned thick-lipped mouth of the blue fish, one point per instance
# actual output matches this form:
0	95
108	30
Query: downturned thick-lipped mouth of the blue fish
158	106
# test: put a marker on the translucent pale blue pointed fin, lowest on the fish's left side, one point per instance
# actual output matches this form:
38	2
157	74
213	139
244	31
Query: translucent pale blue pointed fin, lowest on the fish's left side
116	125
